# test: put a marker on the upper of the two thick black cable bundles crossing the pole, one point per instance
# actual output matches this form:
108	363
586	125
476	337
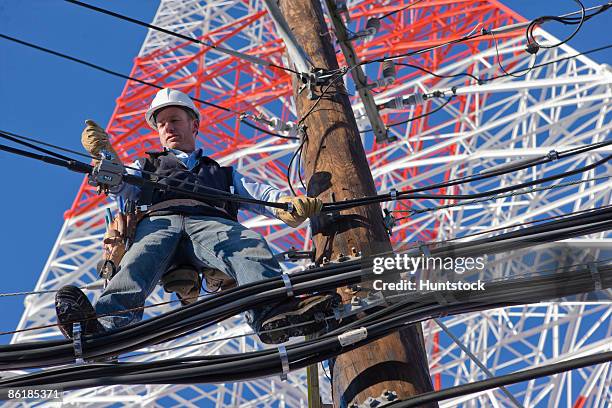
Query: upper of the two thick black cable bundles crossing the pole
224	305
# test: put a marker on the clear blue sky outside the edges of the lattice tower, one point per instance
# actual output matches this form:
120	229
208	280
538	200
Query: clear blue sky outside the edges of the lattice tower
49	98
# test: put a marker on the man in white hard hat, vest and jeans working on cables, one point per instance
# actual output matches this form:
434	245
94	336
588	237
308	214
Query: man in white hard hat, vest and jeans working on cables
205	234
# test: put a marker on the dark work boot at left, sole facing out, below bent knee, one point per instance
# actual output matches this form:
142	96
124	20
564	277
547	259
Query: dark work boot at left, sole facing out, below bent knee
71	305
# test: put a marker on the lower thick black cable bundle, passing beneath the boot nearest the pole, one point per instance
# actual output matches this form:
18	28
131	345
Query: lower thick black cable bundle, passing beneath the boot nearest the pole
266	362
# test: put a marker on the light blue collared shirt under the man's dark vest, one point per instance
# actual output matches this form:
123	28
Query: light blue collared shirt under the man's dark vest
243	186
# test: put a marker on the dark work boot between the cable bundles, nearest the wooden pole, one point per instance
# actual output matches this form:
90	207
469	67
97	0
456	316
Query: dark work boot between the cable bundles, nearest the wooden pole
299	317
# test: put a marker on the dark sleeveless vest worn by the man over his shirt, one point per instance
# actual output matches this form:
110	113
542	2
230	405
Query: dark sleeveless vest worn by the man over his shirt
170	170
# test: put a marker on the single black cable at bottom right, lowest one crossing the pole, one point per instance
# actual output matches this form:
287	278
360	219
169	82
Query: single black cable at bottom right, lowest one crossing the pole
502	380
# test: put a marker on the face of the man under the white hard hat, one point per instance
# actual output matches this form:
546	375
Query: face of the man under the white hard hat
176	129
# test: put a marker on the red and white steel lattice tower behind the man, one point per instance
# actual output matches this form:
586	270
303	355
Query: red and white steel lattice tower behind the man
559	106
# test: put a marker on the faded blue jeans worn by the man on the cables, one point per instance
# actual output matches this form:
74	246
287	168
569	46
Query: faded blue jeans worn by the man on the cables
202	241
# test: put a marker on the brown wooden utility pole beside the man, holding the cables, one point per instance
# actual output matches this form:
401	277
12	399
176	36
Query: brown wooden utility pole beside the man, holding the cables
336	169
